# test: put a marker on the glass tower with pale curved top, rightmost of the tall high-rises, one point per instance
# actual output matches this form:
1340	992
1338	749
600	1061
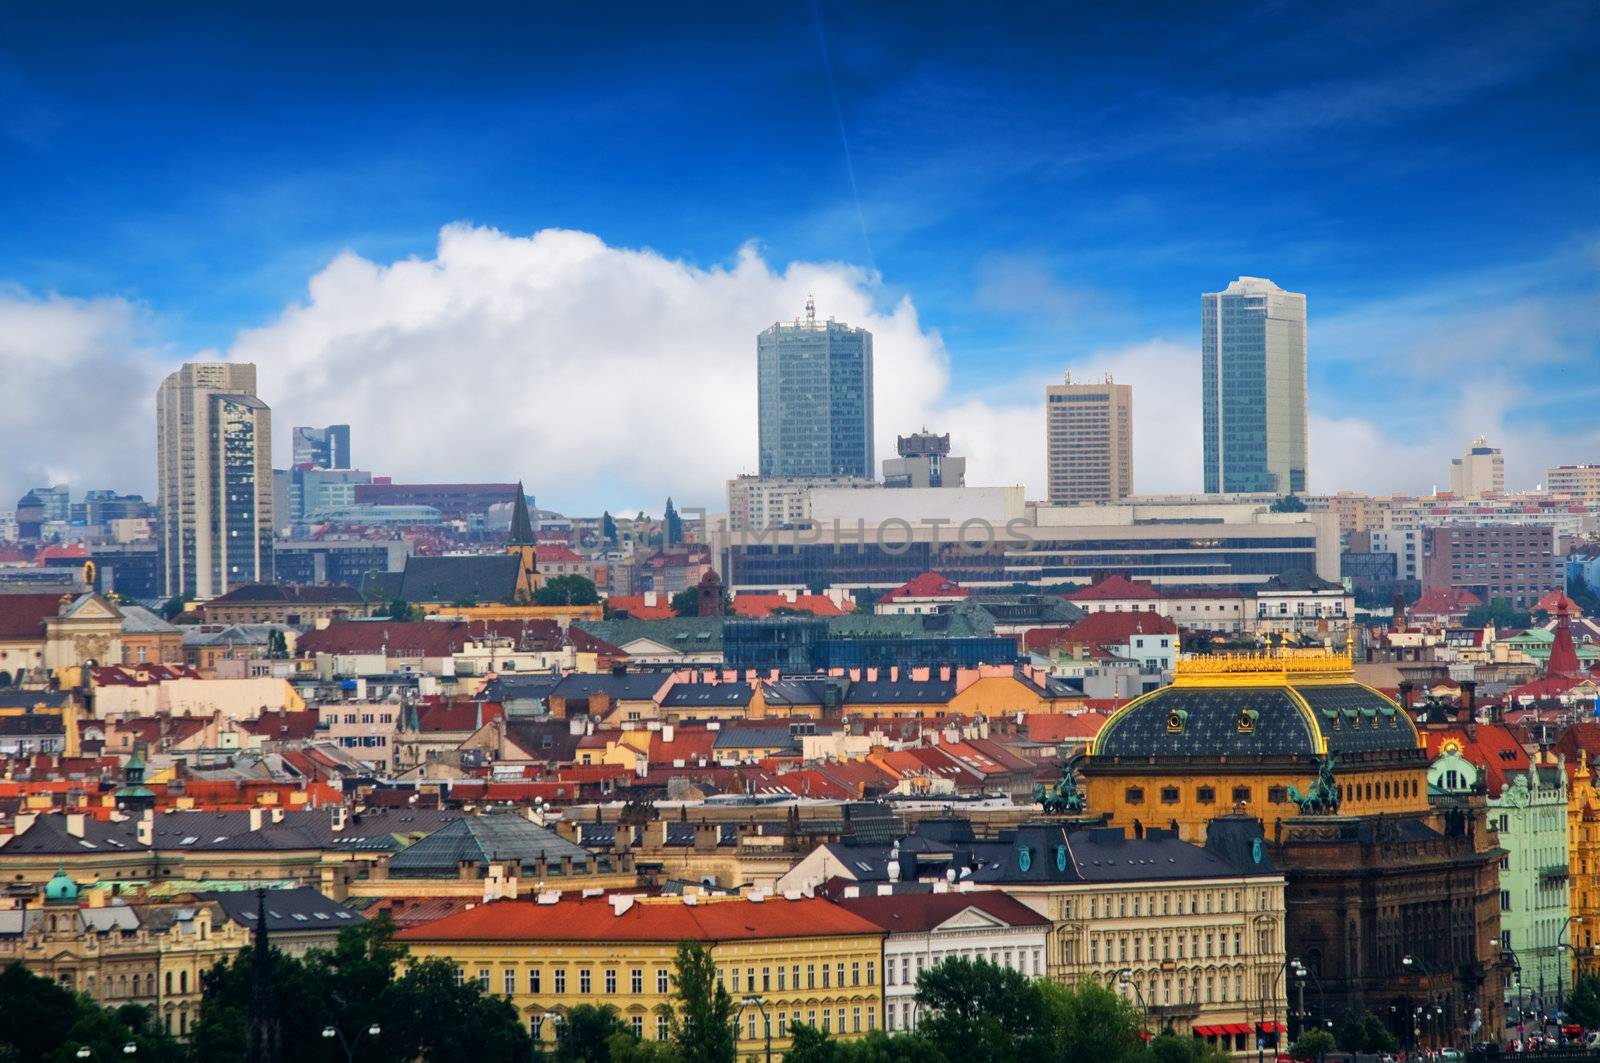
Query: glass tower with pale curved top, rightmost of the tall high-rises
1254	388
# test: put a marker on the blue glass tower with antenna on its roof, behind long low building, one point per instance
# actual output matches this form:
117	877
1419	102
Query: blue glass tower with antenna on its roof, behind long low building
815	398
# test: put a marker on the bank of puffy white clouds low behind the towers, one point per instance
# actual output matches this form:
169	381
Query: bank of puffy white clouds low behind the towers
610	377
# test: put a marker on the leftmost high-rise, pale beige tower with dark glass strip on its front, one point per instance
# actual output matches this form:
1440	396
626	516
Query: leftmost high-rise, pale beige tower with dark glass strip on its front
214	443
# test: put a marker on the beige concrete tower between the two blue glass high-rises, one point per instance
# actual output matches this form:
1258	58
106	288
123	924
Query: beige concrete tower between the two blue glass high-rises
1089	436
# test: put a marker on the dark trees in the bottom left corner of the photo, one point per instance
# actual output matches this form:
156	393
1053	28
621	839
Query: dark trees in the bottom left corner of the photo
41	1021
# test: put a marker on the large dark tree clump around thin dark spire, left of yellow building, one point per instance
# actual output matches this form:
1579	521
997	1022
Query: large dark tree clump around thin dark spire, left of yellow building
422	1014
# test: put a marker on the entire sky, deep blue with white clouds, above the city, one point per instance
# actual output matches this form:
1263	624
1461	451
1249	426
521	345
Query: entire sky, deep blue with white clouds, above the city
1092	243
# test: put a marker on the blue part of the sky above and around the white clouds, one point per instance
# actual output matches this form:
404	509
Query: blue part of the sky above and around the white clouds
1047	187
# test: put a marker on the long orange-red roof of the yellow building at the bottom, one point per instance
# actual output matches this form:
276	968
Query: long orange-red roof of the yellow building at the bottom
644	921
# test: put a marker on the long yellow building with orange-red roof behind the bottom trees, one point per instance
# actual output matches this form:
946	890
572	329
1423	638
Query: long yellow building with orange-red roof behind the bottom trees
807	961
